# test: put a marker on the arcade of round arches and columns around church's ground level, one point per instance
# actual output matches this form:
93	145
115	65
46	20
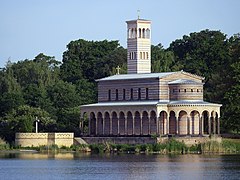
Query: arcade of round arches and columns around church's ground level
145	123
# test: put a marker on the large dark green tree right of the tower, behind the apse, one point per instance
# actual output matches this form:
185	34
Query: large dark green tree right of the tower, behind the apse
205	53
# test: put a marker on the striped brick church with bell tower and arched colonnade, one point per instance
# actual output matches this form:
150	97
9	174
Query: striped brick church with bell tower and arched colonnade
141	103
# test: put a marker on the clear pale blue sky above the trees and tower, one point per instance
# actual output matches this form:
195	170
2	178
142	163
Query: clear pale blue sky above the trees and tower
30	27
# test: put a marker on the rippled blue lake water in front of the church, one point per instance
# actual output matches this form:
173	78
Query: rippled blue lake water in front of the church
124	166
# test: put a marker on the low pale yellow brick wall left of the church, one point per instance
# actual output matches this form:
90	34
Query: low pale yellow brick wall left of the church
46	139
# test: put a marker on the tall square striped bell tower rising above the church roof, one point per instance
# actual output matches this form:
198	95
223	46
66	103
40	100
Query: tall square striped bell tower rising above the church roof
139	46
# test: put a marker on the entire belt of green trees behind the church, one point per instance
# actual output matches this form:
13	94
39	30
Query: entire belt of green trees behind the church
54	90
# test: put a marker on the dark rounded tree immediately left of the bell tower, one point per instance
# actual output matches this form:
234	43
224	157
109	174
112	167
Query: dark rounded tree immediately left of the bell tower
87	59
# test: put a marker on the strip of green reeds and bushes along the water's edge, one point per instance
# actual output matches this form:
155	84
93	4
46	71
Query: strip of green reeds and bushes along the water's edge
227	146
